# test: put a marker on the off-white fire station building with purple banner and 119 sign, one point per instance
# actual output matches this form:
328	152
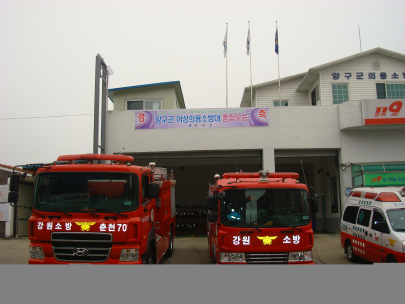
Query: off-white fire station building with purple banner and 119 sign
339	125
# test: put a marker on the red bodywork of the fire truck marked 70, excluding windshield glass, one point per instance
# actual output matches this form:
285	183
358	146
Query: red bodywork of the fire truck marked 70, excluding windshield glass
72	237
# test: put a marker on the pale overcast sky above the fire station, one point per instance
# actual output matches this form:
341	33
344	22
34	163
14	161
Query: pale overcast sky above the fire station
48	51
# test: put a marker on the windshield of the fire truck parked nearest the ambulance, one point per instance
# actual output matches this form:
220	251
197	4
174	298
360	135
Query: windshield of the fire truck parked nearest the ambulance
265	208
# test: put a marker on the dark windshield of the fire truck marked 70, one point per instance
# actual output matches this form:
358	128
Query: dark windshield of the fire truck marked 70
82	191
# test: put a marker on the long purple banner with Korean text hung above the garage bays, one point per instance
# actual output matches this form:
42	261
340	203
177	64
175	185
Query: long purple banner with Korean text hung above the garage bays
202	118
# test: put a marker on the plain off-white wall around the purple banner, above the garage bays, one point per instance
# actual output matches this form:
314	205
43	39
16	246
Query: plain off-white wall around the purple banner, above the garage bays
290	128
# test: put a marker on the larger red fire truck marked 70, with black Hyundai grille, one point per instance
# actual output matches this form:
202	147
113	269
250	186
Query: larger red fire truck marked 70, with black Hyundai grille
99	209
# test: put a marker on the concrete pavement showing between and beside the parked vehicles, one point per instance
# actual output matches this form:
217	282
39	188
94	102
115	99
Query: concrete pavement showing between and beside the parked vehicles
189	250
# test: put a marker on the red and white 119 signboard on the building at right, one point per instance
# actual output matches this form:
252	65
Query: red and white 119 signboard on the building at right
383	111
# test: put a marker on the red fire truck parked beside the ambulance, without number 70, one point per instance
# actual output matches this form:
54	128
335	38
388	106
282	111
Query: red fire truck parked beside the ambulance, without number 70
259	218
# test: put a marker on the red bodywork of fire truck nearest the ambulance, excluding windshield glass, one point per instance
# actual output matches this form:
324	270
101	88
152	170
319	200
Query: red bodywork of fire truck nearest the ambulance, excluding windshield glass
270	244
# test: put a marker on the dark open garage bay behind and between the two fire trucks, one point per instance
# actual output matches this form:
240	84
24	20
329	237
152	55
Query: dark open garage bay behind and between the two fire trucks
193	171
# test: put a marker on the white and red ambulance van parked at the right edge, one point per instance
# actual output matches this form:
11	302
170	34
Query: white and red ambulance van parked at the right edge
373	225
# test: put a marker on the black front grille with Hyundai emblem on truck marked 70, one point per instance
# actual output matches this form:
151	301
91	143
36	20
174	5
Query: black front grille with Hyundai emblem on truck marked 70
81	247
